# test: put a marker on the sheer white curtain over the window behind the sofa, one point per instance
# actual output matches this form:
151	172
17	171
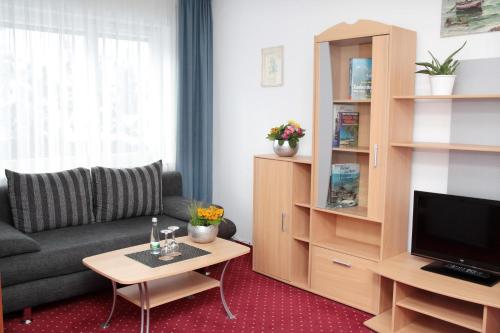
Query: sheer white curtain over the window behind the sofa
87	82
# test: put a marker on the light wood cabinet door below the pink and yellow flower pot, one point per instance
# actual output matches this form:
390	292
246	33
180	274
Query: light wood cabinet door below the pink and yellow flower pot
272	217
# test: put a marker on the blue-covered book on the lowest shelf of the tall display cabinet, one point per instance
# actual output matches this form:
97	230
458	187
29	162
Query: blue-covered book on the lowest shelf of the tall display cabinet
344	185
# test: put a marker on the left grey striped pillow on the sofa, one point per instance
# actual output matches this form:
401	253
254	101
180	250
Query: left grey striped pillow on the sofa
47	201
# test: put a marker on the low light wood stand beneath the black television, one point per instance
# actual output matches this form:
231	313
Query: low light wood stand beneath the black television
416	300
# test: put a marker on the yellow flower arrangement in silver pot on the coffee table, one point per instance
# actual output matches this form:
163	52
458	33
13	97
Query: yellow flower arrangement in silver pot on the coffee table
204	223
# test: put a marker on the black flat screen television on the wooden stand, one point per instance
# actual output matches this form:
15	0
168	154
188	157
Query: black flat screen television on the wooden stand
461	233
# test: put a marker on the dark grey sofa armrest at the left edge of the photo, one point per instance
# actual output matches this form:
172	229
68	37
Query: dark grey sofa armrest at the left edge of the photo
13	241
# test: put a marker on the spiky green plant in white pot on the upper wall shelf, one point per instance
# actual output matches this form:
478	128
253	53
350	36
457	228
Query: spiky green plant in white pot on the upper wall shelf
442	75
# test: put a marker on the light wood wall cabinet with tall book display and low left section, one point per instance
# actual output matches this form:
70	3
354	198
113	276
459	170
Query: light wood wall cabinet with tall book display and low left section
297	238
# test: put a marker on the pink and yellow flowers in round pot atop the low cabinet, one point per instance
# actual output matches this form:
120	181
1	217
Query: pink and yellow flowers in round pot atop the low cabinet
286	138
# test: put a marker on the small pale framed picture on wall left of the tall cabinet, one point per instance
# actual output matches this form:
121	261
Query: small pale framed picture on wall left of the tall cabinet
272	67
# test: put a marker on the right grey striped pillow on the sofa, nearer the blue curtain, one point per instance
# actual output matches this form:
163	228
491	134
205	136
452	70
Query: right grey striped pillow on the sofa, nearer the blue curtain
123	193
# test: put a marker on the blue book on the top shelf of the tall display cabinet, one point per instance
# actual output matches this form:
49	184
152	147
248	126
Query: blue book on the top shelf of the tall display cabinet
360	78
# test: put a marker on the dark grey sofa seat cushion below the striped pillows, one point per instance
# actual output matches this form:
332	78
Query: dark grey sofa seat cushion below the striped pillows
62	250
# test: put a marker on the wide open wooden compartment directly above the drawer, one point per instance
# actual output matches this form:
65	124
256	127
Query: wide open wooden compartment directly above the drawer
348	235
